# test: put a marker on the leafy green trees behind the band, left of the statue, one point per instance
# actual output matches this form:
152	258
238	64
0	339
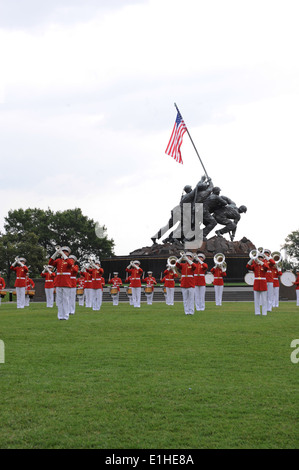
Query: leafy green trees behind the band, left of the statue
34	234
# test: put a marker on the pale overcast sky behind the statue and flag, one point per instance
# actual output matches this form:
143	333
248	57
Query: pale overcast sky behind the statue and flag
87	93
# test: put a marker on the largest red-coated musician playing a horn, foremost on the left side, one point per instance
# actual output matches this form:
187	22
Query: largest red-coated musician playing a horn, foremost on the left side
63	264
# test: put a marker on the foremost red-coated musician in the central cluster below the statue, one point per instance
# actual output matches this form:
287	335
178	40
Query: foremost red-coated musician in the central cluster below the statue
187	270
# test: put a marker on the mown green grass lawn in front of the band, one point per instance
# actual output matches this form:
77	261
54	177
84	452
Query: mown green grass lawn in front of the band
149	378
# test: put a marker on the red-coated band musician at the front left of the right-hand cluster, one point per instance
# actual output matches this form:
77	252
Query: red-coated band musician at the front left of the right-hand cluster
259	266
